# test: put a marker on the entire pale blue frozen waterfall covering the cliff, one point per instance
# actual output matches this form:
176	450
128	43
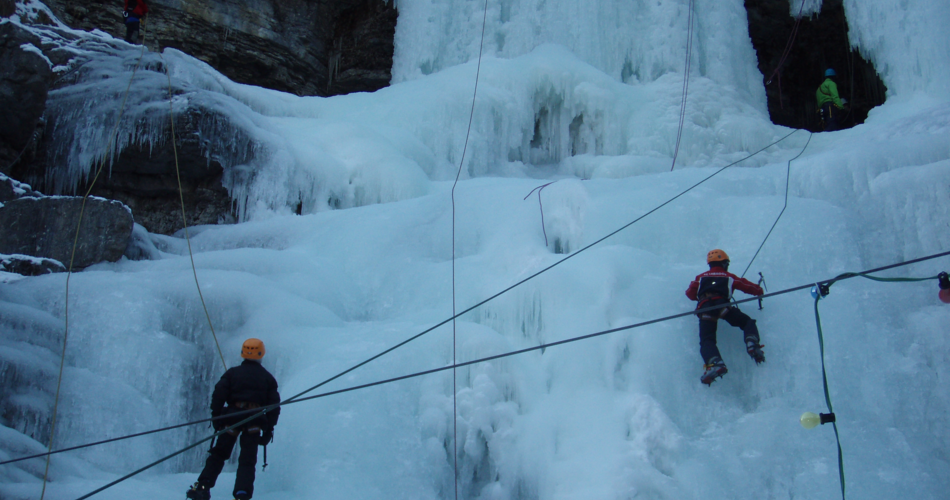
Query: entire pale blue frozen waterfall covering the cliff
621	416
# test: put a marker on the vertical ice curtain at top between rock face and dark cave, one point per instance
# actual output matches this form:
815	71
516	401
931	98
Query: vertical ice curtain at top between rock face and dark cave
632	41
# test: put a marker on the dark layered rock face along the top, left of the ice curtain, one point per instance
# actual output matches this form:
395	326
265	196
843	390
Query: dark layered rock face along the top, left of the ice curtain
324	47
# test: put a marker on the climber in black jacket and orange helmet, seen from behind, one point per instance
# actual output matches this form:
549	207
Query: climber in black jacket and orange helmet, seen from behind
243	387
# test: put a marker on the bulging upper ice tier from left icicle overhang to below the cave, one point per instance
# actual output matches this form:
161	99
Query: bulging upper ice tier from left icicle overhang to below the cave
281	153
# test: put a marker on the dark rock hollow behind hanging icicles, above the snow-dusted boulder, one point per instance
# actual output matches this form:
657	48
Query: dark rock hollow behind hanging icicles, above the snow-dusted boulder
144	174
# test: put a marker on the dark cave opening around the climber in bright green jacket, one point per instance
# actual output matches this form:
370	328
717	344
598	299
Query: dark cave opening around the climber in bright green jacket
820	43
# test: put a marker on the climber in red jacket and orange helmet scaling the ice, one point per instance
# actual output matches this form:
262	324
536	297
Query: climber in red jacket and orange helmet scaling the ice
714	288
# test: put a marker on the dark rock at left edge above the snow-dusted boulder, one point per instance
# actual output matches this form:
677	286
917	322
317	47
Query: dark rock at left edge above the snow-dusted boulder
24	84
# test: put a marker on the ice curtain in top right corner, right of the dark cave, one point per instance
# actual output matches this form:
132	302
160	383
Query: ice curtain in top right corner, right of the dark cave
908	42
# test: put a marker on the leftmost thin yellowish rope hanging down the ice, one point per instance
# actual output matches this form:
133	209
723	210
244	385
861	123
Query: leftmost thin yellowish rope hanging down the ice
72	257
